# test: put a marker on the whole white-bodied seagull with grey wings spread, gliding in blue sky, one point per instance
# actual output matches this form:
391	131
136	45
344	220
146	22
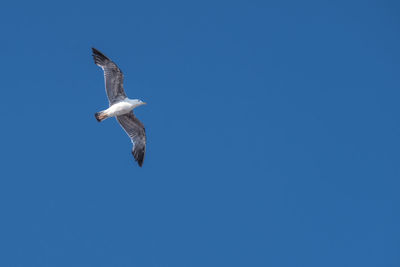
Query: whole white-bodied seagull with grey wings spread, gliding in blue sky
120	106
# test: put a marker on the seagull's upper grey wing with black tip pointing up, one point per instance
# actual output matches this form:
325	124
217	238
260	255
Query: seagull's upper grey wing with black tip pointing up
113	77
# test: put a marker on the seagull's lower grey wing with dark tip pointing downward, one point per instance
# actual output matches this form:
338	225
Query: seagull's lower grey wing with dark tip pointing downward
135	130
